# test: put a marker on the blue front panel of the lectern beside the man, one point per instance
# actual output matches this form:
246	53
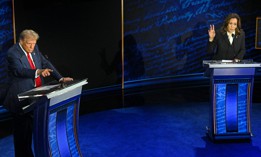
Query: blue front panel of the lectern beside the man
62	128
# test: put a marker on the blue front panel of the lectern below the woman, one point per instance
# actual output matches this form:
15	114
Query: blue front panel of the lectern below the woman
231	107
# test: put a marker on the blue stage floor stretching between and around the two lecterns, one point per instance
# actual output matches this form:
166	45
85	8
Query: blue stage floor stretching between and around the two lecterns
157	124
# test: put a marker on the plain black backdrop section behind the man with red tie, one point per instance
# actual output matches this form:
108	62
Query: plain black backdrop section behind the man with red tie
73	33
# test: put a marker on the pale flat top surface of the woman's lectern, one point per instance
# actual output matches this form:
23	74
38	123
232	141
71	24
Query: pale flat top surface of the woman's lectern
230	64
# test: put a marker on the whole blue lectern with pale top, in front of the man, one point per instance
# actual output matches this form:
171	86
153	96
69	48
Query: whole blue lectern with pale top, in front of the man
56	109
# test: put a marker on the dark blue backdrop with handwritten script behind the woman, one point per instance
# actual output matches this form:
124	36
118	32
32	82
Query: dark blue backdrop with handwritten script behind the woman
170	37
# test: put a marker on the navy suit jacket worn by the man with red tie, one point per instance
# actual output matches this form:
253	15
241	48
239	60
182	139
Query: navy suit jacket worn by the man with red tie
21	76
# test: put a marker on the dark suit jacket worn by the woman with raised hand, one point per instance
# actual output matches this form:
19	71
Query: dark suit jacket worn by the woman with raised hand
222	48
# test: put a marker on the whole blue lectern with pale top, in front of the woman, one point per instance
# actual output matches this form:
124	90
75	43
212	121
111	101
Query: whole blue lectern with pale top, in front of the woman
231	88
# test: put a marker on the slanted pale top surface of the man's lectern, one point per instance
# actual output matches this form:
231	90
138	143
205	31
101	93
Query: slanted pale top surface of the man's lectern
50	88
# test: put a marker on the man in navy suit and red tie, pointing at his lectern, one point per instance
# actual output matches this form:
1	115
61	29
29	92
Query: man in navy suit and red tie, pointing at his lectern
26	69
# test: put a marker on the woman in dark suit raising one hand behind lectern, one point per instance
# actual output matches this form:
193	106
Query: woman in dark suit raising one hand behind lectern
228	43
